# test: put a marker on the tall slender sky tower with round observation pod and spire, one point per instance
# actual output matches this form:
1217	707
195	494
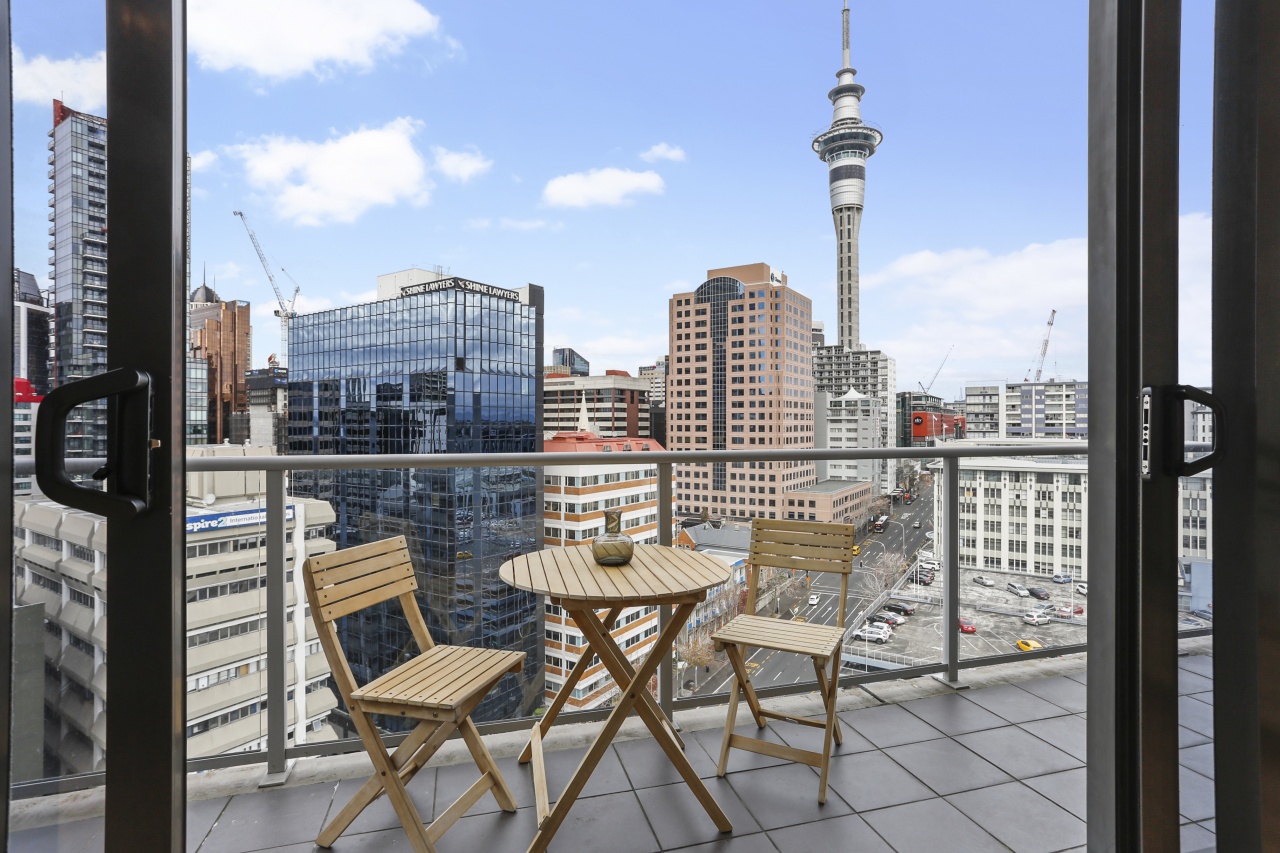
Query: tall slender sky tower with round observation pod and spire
845	148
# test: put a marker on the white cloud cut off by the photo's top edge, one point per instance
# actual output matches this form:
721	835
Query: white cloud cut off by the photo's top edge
287	39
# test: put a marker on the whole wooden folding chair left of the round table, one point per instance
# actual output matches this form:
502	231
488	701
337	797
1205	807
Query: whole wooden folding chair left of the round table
440	687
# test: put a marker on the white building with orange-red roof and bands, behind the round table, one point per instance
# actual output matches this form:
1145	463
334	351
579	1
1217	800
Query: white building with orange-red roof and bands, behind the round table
574	503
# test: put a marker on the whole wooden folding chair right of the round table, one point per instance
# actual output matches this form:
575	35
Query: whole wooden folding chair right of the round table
806	546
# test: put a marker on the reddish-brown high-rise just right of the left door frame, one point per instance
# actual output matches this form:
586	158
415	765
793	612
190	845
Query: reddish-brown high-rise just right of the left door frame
223	337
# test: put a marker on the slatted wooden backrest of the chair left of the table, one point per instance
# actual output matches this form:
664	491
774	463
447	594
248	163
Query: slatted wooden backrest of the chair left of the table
353	580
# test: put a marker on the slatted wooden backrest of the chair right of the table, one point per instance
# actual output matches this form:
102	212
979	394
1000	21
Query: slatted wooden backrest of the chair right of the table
802	546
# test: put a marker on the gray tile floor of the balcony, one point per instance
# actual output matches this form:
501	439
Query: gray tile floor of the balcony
993	769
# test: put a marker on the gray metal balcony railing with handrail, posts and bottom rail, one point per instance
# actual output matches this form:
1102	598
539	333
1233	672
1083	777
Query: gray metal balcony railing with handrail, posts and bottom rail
280	755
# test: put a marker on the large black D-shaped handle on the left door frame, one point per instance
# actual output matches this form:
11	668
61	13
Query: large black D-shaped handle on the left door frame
129	450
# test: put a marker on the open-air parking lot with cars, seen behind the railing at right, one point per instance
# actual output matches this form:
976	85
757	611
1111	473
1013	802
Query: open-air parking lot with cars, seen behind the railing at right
996	613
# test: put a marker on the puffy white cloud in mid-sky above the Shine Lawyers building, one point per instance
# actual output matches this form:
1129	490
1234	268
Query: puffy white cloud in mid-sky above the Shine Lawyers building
314	184
